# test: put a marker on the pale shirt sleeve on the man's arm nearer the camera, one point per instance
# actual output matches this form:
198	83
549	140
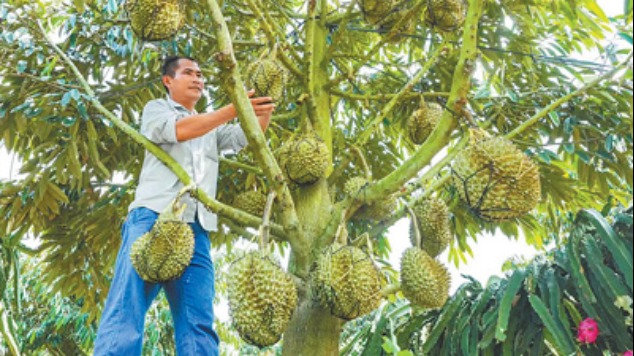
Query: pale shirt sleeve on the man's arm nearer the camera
158	122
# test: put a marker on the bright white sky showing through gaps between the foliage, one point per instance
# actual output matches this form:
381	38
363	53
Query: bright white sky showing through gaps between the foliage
489	252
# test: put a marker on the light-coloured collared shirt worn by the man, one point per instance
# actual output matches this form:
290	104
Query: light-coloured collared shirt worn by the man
158	185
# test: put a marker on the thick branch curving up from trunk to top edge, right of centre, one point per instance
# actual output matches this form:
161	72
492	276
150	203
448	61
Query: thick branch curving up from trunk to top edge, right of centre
457	100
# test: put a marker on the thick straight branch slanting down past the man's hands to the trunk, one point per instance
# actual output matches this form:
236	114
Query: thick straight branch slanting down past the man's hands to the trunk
232	83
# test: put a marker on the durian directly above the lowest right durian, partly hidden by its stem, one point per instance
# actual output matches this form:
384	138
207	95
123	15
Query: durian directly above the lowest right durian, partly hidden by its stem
432	216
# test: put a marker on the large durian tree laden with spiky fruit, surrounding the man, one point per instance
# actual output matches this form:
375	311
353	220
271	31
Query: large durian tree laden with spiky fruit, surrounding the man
384	108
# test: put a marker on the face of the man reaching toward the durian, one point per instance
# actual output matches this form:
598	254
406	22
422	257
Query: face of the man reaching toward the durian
187	83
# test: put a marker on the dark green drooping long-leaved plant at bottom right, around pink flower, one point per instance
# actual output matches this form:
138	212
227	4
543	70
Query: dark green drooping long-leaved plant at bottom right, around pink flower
535	309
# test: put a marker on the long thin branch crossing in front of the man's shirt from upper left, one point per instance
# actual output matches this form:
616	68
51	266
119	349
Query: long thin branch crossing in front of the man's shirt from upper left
212	204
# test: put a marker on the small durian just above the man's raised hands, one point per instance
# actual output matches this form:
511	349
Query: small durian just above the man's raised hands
267	76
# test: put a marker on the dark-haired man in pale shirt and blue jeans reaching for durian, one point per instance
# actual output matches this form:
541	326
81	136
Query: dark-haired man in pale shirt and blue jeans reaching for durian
194	141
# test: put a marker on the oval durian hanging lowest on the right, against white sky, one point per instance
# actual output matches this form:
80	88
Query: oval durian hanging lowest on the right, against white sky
424	281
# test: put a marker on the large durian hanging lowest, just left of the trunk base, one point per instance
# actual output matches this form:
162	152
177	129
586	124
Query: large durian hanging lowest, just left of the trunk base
262	298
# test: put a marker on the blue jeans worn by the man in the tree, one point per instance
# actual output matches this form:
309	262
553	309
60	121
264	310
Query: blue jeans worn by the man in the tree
190	298
